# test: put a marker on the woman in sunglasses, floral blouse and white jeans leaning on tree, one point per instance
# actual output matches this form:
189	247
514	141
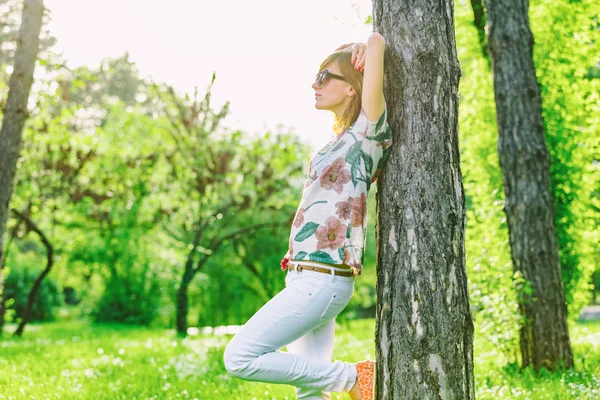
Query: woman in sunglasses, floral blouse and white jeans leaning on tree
327	239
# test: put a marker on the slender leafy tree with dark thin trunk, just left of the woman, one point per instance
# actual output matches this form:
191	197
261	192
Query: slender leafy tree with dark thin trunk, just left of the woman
215	203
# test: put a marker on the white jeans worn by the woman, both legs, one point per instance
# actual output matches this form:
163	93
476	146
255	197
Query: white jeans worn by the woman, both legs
301	317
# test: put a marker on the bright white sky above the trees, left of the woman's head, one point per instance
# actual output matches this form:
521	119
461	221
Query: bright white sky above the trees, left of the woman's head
265	52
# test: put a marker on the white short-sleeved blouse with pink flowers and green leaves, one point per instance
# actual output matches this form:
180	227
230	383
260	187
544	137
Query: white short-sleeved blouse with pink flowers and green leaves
331	220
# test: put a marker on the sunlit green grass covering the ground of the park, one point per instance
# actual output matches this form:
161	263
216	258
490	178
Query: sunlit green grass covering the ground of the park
75	360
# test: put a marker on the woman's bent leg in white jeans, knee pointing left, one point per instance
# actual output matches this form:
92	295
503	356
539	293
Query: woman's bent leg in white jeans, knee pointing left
253	353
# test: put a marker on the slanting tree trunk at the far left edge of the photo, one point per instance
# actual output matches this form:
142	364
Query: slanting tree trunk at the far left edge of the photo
16	112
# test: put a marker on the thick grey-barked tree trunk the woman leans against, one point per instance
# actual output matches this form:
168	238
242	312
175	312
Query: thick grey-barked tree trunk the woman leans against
424	327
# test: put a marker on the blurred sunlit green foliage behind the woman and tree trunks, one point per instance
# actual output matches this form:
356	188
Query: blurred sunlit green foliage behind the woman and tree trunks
119	172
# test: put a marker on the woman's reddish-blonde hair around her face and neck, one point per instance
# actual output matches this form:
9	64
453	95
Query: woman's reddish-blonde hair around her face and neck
343	59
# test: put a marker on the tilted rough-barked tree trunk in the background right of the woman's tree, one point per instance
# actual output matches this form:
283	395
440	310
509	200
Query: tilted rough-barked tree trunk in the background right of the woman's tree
529	206
